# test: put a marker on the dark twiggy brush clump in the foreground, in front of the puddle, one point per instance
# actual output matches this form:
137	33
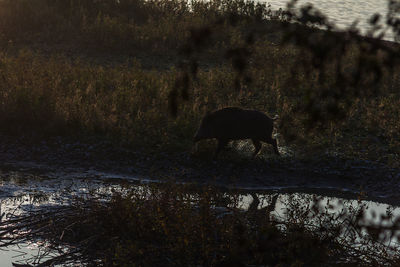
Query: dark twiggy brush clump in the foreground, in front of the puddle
165	224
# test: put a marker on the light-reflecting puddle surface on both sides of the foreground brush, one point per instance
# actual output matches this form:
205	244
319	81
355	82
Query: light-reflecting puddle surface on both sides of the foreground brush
286	206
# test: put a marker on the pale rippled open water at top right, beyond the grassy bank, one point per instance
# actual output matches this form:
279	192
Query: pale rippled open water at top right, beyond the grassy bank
344	12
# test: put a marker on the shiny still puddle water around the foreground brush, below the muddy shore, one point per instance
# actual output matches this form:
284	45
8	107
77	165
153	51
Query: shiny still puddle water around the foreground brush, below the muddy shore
31	196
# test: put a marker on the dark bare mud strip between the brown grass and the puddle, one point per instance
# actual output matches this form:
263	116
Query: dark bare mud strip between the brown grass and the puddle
60	160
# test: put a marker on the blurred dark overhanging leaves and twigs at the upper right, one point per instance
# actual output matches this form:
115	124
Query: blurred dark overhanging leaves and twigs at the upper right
324	52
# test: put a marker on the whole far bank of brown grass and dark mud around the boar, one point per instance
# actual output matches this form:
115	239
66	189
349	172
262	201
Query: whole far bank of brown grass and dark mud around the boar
99	96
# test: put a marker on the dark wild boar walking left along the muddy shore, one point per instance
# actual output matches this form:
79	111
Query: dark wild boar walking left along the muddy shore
235	124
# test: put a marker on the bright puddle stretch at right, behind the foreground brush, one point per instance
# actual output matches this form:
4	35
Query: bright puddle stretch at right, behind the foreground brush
335	211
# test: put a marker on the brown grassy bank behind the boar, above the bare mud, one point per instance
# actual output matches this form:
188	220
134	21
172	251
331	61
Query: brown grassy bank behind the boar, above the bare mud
107	68
